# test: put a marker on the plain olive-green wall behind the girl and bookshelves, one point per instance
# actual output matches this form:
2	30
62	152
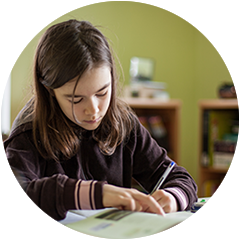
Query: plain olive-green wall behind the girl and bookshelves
195	45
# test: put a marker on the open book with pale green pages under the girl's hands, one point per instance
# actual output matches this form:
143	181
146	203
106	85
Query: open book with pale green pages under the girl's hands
114	223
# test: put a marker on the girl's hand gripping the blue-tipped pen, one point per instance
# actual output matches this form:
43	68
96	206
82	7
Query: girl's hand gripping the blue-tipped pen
166	200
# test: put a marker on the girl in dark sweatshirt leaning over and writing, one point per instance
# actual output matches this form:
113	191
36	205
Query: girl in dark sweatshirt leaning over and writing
77	145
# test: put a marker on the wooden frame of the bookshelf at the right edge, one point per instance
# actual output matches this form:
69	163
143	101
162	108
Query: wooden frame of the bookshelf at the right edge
208	173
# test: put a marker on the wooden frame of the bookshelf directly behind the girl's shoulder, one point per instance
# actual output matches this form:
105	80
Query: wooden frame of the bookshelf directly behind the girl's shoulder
169	111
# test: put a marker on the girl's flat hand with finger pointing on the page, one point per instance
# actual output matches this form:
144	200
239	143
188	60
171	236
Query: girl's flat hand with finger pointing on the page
129	199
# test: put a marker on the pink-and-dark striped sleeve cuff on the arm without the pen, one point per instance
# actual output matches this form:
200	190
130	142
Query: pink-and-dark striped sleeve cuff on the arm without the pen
88	194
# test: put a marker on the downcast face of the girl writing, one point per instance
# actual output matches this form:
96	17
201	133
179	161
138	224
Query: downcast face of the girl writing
91	98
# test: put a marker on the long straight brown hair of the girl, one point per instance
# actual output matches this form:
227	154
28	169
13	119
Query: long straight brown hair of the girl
67	50
